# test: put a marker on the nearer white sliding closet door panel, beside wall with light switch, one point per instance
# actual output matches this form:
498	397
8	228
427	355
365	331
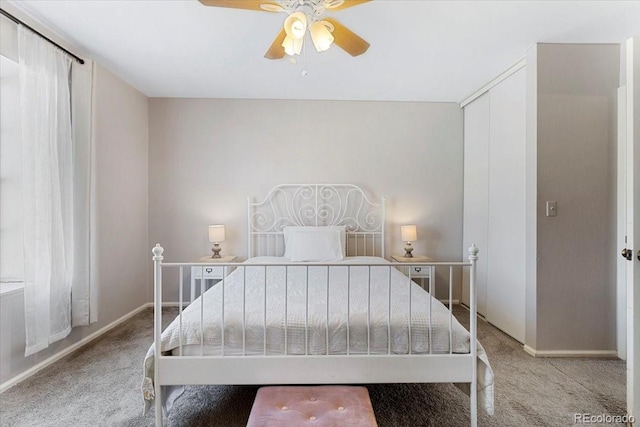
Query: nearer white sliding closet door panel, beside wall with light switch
506	225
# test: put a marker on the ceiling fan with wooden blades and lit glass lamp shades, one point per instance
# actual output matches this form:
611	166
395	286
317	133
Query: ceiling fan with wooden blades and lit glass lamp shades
303	16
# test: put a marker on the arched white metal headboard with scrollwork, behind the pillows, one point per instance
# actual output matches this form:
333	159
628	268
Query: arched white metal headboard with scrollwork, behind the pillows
316	205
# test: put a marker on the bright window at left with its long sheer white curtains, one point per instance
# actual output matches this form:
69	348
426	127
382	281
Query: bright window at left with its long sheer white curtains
44	186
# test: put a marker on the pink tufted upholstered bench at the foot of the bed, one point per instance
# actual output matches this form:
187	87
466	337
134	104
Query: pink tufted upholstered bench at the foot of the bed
326	406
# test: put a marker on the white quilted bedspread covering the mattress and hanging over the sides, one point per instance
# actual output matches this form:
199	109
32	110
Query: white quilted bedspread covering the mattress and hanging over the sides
308	325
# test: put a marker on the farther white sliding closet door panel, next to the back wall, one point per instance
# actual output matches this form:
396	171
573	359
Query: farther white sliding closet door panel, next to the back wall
476	187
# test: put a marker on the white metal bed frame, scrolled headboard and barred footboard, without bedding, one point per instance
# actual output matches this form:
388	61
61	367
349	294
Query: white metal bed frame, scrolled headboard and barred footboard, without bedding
318	205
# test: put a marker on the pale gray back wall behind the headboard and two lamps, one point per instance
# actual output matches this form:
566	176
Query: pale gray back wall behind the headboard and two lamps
207	156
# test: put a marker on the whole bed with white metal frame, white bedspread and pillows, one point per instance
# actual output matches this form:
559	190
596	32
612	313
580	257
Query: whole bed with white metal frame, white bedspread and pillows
315	303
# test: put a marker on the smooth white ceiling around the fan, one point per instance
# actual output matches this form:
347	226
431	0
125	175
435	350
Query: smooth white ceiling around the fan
439	51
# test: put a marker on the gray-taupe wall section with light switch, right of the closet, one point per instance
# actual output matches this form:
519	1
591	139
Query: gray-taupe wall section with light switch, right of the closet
576	166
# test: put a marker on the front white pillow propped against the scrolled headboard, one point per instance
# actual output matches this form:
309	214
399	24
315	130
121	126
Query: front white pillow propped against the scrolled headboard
315	247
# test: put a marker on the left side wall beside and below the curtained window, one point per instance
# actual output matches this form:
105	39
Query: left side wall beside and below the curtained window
120	229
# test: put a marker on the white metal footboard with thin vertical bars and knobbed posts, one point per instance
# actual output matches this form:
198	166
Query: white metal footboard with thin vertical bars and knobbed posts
372	365
